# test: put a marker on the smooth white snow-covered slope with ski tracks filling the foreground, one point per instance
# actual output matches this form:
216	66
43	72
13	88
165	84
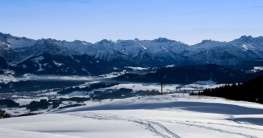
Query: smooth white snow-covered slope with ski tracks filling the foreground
166	116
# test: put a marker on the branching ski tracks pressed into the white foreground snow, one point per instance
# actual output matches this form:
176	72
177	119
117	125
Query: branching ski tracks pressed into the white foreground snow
161	130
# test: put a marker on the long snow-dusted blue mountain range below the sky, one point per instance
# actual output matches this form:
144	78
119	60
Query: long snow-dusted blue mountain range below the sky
50	56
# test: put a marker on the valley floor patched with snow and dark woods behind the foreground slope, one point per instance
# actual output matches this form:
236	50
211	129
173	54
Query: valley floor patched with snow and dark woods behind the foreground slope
34	94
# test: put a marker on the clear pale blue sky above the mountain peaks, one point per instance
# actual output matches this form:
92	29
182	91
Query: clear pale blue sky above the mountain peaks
189	21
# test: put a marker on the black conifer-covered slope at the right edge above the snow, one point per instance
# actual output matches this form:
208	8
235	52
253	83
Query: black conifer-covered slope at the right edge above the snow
248	91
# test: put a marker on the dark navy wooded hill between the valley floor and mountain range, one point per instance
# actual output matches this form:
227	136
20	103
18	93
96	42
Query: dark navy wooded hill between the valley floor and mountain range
190	74
